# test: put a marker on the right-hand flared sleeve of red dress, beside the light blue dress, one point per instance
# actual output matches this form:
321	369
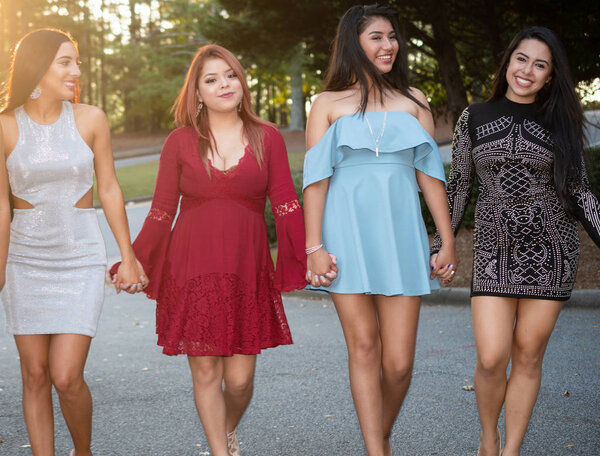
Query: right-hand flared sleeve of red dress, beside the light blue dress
290	269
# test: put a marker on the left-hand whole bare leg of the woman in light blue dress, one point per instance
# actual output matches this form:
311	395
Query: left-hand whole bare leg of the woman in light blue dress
358	316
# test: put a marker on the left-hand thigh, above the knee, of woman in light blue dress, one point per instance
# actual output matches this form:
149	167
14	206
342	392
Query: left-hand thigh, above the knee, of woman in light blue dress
358	316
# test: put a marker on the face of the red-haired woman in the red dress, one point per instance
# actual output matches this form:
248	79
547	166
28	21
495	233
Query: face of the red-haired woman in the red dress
219	87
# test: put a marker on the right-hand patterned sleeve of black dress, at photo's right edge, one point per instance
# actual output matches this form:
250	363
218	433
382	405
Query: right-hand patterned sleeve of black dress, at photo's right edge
585	203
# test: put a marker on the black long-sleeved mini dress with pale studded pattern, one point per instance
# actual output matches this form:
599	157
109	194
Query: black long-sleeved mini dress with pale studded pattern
525	245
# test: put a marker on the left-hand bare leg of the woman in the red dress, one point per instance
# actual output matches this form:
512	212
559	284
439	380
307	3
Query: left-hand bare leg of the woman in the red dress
207	375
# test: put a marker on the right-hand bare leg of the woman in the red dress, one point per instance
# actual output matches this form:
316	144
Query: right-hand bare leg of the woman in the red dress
239	383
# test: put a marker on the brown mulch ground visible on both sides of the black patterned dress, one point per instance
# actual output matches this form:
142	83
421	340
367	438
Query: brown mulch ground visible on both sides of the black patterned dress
588	274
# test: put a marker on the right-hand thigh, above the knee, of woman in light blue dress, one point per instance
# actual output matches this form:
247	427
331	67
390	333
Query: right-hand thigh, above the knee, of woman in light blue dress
398	318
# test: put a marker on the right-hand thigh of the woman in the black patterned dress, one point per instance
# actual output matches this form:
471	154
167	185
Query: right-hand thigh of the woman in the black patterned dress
535	322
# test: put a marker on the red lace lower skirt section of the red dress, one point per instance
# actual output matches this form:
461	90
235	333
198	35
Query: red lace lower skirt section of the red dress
220	315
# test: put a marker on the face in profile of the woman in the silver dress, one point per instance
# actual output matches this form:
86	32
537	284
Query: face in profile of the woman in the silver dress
63	73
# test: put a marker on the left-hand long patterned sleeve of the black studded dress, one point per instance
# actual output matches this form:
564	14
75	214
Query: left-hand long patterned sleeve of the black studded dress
462	174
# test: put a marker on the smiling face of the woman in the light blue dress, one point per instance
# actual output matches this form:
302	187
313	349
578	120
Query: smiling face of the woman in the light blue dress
378	41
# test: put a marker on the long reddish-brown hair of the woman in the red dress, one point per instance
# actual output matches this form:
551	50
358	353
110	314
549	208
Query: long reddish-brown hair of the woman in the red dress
186	104
